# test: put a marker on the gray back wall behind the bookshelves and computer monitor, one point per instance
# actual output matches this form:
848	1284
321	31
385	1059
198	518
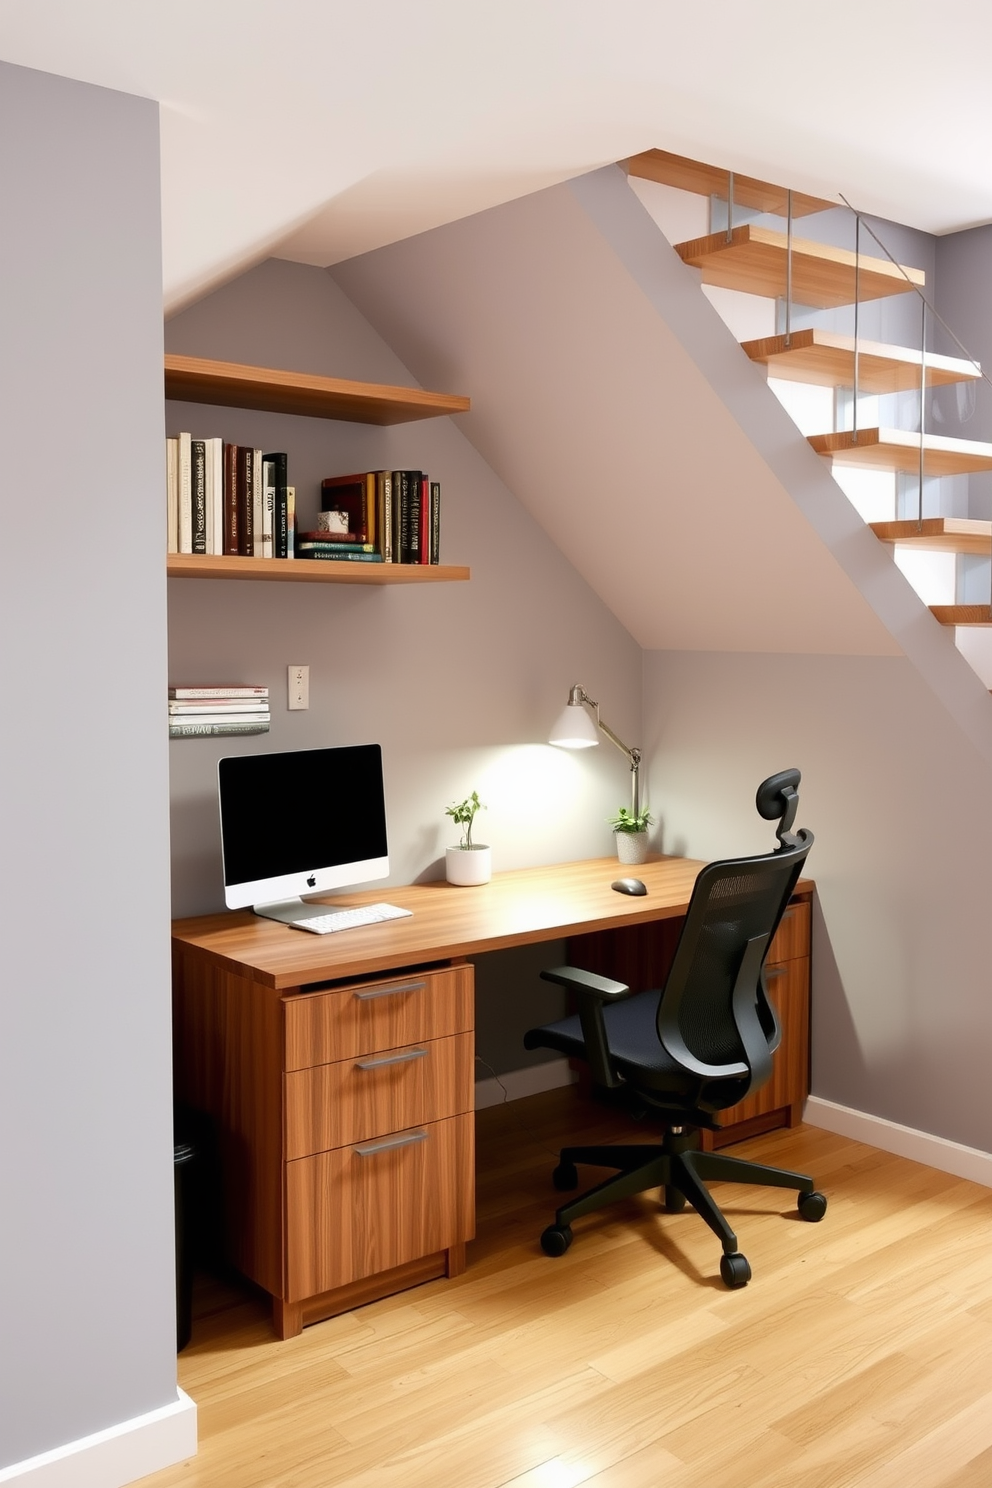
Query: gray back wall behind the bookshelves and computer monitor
460	684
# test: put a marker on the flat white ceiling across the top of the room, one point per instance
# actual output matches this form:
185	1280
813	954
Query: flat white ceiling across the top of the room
318	129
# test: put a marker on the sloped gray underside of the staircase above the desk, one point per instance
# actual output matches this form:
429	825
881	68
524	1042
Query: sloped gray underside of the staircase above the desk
591	410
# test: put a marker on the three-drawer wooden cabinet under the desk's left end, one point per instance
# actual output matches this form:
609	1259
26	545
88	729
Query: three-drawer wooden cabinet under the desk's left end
346	1129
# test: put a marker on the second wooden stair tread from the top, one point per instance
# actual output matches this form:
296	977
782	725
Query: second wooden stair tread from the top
755	261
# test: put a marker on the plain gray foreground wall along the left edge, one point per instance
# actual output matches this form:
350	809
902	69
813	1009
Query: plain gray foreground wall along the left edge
86	1084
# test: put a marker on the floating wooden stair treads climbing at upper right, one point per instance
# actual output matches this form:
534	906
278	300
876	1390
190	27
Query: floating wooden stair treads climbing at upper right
756	261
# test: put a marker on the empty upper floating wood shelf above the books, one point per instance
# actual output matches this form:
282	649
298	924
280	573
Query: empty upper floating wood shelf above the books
228	385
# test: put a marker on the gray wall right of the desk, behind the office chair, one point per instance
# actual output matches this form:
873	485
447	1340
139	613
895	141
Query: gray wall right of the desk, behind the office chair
901	804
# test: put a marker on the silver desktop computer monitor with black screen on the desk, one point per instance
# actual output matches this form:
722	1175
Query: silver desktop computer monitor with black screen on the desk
301	824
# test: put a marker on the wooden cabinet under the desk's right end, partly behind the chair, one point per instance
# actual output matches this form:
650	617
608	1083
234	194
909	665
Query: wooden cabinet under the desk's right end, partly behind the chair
642	958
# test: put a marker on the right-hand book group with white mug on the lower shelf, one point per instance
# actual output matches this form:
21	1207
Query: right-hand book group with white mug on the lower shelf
377	517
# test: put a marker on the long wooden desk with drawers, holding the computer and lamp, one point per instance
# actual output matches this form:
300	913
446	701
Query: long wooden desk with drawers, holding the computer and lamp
340	1071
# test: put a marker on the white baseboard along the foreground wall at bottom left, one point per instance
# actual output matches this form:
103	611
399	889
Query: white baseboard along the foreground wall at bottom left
118	1456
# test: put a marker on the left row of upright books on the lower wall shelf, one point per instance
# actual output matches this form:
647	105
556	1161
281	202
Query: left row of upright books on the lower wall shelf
228	499
